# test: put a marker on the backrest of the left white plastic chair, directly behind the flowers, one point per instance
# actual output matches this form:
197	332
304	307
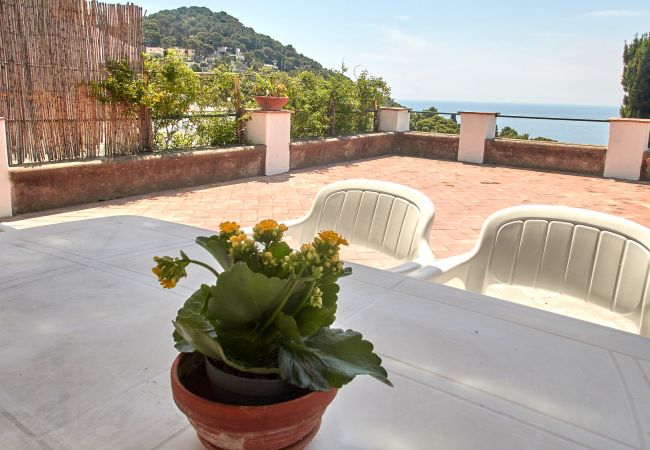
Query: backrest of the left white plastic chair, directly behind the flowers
383	216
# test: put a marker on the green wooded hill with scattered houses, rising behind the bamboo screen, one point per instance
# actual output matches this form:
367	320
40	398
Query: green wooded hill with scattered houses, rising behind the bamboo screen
208	32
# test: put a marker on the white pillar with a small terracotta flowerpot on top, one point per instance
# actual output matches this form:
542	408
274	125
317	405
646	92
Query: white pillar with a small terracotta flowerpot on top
273	129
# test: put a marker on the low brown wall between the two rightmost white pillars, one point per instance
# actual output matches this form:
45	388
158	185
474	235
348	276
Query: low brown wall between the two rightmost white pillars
556	156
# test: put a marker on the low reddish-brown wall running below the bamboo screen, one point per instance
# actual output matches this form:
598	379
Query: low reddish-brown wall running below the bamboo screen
48	186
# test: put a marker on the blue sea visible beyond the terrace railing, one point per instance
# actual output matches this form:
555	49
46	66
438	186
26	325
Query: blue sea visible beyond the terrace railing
594	133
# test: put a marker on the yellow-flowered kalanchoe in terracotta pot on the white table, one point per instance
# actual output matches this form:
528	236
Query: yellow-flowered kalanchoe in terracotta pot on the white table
259	361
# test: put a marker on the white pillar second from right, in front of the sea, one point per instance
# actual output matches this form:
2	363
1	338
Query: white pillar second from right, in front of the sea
475	128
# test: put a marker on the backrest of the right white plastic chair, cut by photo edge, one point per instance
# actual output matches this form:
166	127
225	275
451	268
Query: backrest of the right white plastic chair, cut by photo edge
593	256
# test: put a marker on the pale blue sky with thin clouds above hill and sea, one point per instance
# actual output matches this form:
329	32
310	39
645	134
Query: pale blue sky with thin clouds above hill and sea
553	51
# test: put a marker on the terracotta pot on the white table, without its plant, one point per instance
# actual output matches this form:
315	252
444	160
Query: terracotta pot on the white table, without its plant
290	424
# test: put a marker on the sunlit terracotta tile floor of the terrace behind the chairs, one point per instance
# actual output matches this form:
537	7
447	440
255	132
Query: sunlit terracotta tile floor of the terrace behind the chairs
463	194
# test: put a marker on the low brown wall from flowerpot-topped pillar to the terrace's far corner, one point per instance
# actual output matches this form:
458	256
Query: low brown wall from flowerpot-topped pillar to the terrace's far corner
317	152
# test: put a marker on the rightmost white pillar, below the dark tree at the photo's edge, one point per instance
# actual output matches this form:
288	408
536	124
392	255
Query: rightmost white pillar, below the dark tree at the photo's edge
628	140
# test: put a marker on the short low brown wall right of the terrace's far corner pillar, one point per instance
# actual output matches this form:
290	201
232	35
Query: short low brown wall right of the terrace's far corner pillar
428	145
